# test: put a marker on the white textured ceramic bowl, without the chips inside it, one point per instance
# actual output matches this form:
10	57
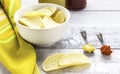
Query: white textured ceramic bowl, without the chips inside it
41	37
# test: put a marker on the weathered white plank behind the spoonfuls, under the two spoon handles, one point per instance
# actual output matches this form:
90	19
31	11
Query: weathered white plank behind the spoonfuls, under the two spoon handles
73	39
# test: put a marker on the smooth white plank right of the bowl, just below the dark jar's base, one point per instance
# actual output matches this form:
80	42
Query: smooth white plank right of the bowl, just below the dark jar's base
95	18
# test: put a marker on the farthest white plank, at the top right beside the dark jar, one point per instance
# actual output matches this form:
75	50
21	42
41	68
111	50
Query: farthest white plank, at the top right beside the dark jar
103	5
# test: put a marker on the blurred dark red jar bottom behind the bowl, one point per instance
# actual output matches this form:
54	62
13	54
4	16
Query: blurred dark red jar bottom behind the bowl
75	4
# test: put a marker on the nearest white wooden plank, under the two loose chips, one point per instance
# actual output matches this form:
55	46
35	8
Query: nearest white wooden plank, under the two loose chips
99	64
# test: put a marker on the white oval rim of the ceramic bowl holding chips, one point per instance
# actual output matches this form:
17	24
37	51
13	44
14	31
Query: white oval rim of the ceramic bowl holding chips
49	4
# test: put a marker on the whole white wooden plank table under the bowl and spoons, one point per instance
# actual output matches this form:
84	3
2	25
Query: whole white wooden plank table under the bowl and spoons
99	16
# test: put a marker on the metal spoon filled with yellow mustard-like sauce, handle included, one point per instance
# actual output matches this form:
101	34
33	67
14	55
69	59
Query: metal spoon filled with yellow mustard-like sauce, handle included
87	47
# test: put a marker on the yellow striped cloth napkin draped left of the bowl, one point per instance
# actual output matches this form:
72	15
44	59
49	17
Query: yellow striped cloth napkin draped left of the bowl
16	55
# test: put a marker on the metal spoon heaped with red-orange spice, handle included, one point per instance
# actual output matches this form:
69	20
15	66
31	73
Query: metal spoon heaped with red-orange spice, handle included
105	49
